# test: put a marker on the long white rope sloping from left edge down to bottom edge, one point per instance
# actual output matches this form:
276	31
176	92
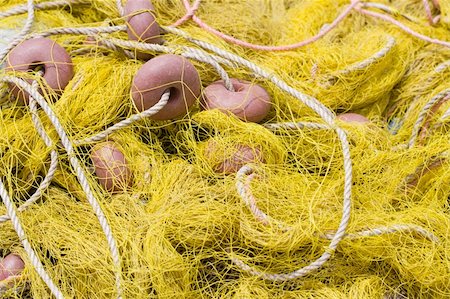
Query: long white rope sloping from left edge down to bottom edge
79	172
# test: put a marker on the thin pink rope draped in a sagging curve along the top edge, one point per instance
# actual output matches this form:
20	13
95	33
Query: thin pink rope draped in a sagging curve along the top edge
190	14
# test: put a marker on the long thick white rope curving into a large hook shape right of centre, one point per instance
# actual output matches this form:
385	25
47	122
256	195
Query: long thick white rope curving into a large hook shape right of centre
328	116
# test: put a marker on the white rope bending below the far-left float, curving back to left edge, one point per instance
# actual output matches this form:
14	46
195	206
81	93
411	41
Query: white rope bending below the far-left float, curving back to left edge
53	159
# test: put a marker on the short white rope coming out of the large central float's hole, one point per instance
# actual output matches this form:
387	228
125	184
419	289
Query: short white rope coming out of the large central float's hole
127	122
